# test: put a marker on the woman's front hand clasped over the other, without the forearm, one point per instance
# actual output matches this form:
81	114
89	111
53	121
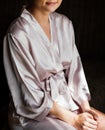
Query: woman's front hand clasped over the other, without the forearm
85	121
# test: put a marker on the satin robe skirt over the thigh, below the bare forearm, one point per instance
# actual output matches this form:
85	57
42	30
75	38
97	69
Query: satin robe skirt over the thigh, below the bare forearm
49	124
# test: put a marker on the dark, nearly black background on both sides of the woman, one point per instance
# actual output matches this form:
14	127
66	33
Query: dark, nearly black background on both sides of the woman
88	17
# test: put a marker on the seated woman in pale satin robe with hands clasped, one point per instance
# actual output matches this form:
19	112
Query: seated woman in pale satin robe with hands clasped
44	72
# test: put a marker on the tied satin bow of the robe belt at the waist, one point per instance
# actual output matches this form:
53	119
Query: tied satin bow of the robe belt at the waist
56	84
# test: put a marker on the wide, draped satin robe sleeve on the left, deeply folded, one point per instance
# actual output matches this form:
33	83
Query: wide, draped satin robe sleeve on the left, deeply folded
30	99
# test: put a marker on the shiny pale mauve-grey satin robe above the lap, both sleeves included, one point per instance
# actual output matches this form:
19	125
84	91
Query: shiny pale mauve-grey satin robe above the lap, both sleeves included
40	71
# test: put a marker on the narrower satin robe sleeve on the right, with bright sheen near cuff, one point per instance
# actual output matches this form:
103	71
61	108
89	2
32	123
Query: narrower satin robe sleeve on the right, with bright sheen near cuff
76	77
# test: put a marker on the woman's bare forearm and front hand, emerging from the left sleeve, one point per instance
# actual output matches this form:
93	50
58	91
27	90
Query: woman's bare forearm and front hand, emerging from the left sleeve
84	121
